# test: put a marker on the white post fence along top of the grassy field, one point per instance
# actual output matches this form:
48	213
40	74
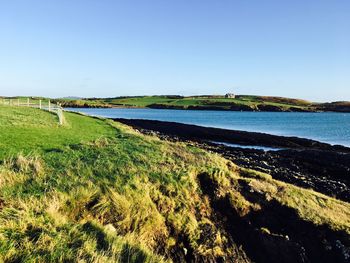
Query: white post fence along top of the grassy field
36	103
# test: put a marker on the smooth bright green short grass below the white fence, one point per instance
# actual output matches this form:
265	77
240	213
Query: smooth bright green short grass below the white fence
29	130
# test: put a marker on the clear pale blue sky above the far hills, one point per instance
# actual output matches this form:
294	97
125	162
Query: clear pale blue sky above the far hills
104	48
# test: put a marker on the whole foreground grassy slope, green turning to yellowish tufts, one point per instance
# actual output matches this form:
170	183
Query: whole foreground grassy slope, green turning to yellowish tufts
94	190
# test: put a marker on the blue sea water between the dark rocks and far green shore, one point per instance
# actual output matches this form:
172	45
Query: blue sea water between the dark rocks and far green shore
333	128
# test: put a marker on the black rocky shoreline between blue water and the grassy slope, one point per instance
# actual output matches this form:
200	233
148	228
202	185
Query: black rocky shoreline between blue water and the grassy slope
302	162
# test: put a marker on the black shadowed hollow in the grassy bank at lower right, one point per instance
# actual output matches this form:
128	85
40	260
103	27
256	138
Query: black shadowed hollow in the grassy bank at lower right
287	238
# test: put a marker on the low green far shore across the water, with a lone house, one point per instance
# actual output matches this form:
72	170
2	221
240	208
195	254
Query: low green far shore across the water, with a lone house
211	102
